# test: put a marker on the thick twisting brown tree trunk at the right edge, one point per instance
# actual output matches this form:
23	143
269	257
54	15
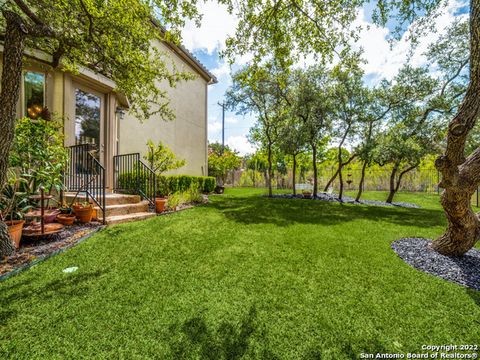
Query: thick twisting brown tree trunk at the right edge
460	176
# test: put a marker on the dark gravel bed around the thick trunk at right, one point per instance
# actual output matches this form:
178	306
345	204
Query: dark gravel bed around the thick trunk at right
464	270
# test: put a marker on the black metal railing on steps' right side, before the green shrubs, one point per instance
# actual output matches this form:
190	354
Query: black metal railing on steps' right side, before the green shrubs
132	176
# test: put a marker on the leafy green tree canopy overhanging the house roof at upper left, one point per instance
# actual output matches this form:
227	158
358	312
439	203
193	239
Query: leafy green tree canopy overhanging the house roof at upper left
113	38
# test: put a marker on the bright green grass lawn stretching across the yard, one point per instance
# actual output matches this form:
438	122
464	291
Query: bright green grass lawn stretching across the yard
243	277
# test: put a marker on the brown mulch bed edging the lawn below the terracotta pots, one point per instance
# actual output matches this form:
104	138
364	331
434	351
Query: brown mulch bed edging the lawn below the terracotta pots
34	249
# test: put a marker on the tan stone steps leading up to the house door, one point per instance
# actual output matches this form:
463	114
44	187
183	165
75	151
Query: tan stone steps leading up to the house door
119	208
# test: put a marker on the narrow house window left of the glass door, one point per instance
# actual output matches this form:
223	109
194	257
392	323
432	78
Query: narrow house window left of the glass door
34	90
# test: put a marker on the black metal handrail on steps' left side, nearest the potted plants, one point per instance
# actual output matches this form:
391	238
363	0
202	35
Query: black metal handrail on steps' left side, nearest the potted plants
85	174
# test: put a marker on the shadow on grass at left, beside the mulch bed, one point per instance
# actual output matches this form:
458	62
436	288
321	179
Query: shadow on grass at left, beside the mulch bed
68	286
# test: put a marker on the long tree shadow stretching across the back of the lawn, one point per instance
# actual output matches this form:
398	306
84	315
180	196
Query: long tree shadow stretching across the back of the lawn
284	212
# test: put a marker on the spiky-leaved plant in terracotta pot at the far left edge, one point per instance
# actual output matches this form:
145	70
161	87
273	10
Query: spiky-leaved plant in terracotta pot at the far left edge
13	205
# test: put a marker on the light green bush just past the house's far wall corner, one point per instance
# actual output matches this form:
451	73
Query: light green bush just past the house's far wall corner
220	163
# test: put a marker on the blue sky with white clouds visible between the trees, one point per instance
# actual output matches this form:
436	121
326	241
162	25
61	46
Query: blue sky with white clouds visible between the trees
383	61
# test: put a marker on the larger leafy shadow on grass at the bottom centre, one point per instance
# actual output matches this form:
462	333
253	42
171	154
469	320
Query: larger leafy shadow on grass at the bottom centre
229	341
